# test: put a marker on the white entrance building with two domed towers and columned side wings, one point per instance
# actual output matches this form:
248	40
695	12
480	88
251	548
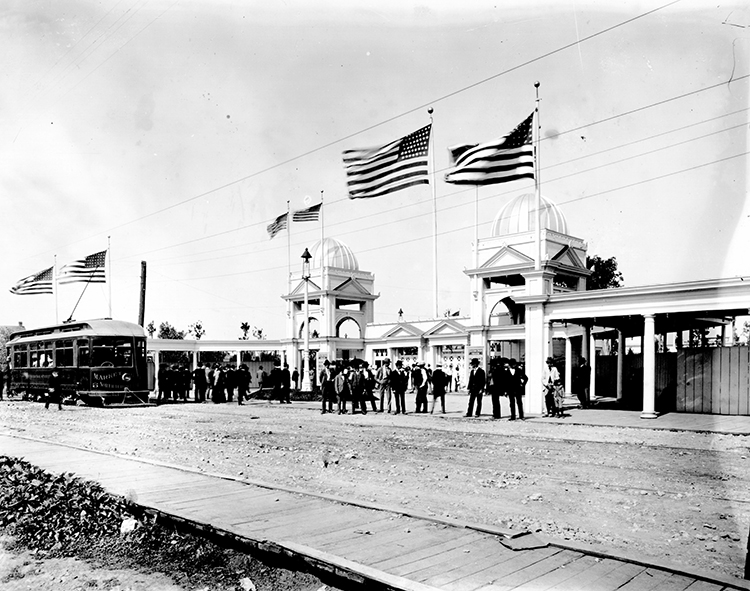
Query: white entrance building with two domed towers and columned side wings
528	301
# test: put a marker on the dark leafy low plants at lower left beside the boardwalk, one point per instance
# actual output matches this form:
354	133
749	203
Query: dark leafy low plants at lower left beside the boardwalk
66	516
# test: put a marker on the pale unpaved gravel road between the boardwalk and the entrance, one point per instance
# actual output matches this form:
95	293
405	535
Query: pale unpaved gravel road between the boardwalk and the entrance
675	496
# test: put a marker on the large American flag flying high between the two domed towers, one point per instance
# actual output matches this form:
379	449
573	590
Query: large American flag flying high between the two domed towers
372	172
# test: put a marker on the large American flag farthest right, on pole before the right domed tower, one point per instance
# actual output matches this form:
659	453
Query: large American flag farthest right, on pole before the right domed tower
505	159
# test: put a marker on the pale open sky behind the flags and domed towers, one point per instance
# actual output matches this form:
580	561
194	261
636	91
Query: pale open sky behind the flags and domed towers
176	131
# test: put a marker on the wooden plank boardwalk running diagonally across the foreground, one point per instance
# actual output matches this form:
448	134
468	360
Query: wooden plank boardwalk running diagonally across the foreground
381	547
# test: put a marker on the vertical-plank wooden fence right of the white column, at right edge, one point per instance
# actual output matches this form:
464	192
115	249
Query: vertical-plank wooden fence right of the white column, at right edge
714	380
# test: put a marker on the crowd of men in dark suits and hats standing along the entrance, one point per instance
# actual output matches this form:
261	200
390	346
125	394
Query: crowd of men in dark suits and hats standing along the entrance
353	386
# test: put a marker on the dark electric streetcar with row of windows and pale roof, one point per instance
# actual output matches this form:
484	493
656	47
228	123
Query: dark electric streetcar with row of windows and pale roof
98	362
